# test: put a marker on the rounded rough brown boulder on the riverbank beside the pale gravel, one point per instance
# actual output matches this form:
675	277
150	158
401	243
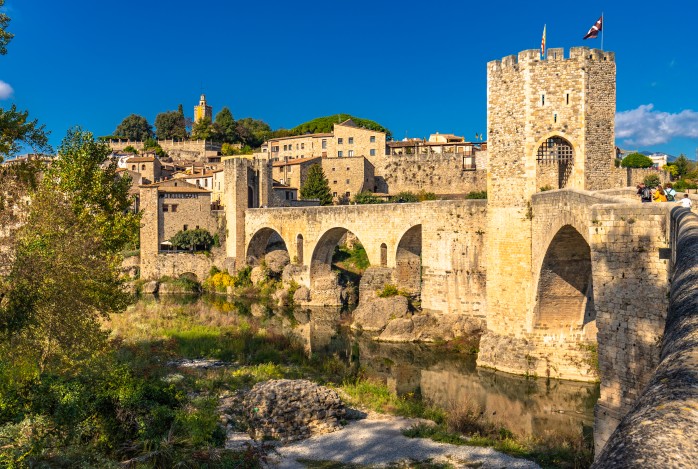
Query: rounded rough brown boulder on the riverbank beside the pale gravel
291	410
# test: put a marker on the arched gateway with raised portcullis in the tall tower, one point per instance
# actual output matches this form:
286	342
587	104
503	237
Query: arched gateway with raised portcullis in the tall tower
555	160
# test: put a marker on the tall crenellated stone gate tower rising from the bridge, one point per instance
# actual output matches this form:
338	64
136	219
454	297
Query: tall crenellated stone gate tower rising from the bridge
550	125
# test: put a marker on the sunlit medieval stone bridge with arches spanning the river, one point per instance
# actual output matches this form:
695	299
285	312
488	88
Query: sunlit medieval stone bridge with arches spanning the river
596	266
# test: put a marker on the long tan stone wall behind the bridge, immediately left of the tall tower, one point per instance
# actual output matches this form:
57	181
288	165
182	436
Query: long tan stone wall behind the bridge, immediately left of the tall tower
439	173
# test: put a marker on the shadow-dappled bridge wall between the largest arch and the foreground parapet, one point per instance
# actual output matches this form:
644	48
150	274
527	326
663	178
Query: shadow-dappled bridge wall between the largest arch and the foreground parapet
631	283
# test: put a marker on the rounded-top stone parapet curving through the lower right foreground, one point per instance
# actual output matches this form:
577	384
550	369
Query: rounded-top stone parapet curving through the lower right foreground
661	426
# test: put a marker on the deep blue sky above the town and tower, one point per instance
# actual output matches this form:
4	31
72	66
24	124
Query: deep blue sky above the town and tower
415	67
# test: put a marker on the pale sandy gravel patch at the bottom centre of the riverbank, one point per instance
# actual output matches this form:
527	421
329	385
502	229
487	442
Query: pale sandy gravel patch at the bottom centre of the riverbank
377	440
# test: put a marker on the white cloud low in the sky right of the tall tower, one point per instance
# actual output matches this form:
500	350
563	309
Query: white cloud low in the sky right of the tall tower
645	126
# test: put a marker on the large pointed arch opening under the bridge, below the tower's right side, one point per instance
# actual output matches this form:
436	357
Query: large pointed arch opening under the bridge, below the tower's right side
564	302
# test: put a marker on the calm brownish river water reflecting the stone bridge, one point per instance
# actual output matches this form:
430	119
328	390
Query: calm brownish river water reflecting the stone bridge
525	405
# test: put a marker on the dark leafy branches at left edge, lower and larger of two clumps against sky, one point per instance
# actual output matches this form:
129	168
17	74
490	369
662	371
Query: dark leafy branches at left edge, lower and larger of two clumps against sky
17	131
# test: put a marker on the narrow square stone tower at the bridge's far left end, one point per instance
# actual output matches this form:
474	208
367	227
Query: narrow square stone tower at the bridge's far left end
248	184
